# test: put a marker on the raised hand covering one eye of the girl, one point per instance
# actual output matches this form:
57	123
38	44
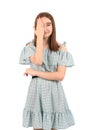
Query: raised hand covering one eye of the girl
39	31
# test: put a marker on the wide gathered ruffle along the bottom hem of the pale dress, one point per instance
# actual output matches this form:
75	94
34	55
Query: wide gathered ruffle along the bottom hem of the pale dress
47	120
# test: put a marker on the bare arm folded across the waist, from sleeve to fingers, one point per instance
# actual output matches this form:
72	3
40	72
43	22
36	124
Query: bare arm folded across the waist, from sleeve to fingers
58	75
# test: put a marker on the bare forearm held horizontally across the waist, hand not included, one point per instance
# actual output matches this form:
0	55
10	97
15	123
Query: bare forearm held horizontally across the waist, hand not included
50	75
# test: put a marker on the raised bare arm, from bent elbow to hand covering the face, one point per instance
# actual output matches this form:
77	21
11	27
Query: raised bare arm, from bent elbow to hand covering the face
39	32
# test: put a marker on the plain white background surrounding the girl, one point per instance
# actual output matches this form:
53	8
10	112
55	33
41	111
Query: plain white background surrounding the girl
16	29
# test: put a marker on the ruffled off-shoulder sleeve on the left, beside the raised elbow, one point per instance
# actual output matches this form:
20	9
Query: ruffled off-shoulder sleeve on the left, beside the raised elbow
26	52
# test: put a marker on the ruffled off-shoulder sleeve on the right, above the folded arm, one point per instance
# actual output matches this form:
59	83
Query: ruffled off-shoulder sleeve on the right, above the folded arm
65	58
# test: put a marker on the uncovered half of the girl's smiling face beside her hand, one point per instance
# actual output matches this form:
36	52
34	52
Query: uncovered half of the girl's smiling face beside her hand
47	24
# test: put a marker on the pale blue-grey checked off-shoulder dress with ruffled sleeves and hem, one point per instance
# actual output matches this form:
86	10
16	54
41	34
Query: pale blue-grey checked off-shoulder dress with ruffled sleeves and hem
46	105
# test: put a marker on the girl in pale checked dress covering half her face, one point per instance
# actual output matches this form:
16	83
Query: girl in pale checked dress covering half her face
46	106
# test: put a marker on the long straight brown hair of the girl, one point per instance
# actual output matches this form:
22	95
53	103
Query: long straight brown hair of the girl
53	44
